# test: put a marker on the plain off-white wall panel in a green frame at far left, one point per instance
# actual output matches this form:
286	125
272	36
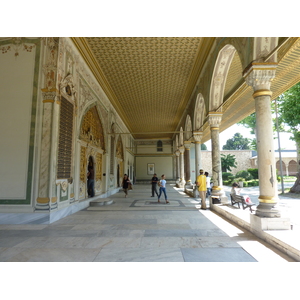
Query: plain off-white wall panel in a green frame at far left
16	90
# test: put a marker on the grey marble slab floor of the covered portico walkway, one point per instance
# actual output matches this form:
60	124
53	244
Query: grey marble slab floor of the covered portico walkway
137	229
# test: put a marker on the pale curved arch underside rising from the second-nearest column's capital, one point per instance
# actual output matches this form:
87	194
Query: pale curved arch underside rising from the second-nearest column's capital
220	72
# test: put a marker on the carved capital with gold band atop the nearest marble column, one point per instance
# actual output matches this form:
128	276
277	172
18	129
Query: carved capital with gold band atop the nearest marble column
260	75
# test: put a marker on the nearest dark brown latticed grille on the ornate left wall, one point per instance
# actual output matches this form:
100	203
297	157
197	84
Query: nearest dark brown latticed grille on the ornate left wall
65	139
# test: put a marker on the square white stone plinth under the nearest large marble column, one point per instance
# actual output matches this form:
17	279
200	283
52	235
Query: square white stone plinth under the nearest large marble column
258	223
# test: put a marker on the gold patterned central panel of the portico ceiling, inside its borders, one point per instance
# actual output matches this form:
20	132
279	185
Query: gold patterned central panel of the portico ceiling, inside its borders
150	79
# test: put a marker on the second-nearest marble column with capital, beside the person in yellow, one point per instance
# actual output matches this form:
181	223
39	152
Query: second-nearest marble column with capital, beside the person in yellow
217	189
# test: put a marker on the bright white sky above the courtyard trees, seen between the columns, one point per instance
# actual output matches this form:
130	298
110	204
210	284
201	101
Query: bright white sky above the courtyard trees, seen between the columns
285	142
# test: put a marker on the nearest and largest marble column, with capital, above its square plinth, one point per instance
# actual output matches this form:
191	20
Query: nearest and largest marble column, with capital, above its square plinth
259	76
